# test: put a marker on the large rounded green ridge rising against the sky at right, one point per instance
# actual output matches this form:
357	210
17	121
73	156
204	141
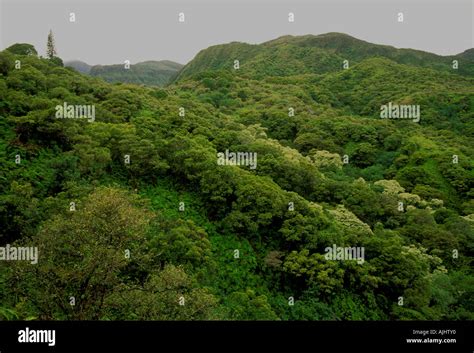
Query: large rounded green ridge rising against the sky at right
310	54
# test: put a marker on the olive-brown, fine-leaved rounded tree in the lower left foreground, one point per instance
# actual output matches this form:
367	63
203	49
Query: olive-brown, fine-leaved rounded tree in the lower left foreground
82	255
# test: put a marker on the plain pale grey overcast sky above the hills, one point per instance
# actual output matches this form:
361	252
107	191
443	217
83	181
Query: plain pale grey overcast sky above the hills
107	32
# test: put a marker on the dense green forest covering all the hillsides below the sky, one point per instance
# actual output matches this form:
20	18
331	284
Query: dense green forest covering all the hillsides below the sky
190	253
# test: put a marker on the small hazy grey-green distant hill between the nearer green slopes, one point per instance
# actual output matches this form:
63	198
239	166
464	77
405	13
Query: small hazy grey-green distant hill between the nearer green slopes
151	73
